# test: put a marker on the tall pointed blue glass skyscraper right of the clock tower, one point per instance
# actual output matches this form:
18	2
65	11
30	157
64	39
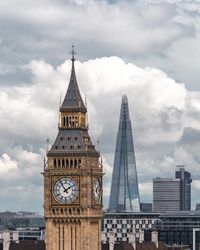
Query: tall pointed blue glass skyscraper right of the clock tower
124	196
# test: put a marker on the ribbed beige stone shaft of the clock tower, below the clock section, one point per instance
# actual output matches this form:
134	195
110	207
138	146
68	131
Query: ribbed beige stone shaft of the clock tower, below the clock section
73	234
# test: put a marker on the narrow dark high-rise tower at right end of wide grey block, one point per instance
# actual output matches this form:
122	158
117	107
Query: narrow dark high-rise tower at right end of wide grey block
185	188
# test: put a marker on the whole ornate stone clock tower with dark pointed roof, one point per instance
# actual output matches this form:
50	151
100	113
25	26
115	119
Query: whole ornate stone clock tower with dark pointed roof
73	180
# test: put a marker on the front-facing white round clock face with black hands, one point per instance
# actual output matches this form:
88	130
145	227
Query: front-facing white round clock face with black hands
65	190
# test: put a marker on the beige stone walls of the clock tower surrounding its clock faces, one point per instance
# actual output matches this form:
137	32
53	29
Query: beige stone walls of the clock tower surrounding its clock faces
75	226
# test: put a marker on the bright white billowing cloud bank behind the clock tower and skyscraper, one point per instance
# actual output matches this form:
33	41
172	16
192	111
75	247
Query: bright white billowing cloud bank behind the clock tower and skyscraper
160	109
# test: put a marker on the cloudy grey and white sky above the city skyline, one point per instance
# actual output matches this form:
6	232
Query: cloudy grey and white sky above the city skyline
146	49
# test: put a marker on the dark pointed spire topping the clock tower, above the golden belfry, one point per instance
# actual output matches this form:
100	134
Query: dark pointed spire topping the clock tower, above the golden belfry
73	99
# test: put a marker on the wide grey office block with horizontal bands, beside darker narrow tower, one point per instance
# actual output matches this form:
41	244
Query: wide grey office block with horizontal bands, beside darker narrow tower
166	194
